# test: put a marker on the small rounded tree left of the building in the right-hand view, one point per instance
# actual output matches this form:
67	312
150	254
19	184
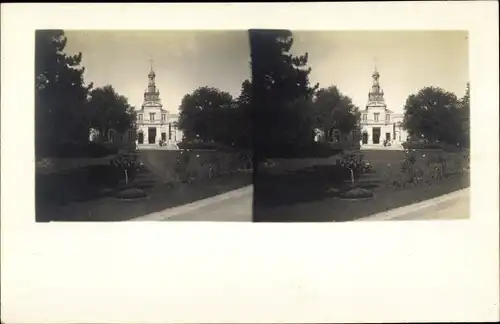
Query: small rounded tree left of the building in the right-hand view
332	109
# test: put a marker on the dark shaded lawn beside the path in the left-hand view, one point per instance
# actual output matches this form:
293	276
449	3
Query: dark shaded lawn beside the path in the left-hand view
86	194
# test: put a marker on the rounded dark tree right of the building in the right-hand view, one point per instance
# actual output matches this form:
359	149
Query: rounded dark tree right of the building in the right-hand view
433	114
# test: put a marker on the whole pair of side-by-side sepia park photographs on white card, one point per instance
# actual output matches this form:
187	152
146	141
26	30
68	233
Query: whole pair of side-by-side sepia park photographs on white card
251	126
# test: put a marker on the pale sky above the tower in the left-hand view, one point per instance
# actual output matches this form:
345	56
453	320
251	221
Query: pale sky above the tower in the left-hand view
182	60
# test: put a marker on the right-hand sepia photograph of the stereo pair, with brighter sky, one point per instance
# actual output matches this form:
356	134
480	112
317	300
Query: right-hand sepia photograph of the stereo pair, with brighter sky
360	125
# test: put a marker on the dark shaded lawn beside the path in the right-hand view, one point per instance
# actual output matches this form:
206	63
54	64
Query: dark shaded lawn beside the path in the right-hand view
304	195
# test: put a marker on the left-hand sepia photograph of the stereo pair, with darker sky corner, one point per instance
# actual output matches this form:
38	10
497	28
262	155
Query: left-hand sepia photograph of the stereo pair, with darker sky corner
142	125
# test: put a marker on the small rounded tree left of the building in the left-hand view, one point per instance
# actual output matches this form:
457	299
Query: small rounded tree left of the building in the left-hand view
109	110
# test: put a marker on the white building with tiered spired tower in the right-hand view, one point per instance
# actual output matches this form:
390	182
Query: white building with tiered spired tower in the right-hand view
379	124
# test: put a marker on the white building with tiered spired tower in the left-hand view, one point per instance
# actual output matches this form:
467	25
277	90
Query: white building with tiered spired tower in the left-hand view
155	124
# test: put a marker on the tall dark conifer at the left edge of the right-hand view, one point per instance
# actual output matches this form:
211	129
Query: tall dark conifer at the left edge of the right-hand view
281	91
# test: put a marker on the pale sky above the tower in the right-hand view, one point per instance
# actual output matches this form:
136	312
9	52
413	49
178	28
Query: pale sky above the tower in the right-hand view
406	60
